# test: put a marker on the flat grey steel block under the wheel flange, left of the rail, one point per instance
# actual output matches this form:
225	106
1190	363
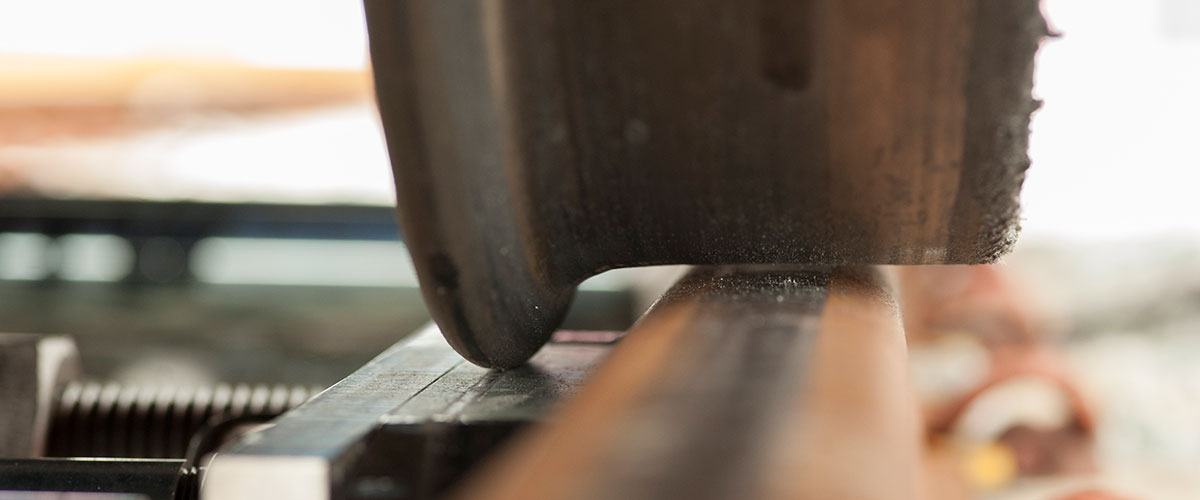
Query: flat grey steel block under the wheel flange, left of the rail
404	426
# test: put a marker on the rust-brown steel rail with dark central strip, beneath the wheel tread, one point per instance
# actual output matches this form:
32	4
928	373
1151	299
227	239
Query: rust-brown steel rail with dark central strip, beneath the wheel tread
742	383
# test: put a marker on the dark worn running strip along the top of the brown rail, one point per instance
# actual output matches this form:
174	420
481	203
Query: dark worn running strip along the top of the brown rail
703	424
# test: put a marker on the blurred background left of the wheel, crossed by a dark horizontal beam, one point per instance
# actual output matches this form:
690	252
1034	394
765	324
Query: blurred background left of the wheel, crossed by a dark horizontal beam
200	191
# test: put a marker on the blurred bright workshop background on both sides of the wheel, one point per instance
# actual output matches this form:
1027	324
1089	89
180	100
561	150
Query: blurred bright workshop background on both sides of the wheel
200	192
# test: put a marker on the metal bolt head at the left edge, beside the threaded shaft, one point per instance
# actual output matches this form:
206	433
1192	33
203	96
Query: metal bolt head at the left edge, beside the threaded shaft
33	371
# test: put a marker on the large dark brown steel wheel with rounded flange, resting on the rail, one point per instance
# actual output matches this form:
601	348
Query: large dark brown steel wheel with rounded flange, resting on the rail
539	142
